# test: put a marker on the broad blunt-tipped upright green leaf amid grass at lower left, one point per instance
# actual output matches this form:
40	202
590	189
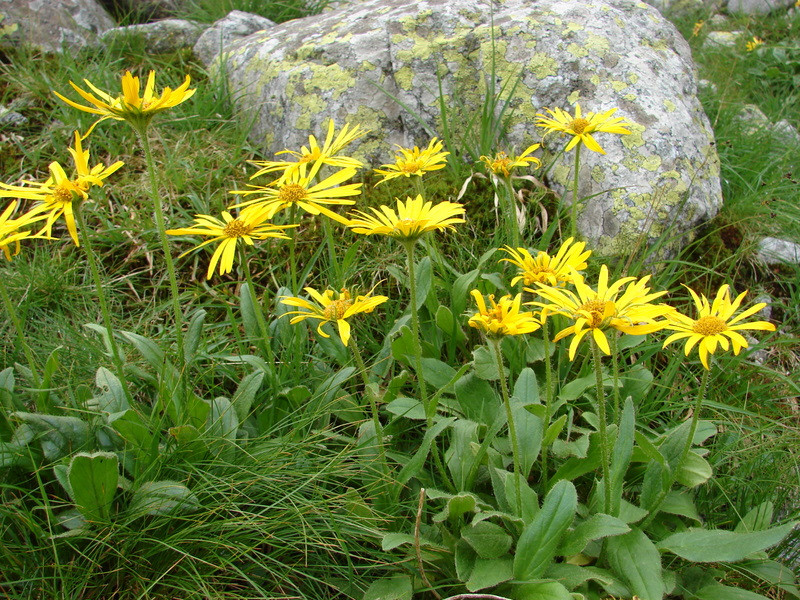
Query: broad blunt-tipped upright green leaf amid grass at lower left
93	480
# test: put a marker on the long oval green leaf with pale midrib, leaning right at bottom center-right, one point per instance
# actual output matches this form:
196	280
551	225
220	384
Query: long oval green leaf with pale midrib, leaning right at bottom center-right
539	540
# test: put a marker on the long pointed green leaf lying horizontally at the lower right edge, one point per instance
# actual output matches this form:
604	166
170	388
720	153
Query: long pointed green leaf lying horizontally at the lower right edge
715	545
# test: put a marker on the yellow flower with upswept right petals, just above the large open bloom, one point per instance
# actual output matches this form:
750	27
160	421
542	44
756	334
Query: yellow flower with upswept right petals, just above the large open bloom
554	271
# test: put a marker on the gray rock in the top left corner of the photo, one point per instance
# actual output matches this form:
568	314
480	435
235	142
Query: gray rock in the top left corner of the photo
53	26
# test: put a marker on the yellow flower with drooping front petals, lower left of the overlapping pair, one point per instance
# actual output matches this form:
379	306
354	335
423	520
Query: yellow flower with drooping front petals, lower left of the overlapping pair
229	231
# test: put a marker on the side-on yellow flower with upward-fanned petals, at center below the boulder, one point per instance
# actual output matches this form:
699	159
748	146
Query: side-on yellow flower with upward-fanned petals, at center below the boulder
413	218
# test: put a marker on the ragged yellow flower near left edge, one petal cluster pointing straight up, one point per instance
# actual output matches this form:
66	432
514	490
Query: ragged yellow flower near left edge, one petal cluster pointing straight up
57	194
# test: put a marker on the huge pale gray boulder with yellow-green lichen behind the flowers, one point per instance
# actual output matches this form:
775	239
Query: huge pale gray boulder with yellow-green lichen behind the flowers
361	64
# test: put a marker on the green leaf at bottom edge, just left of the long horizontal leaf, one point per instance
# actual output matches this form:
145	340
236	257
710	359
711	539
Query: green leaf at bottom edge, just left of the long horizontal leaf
635	559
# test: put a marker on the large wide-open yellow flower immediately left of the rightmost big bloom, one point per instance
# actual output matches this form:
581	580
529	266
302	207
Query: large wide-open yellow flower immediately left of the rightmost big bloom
593	312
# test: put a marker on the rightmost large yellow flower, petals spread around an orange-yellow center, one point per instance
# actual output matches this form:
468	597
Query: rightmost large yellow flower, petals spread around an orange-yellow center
717	324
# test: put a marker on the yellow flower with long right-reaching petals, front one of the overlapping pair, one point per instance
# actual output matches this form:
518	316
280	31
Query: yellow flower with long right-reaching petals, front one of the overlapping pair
299	190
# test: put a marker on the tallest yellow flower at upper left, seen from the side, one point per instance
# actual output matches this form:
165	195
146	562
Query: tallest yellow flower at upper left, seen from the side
130	106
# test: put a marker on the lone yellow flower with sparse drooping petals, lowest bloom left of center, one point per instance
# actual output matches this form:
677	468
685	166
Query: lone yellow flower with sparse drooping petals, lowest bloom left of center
332	307
